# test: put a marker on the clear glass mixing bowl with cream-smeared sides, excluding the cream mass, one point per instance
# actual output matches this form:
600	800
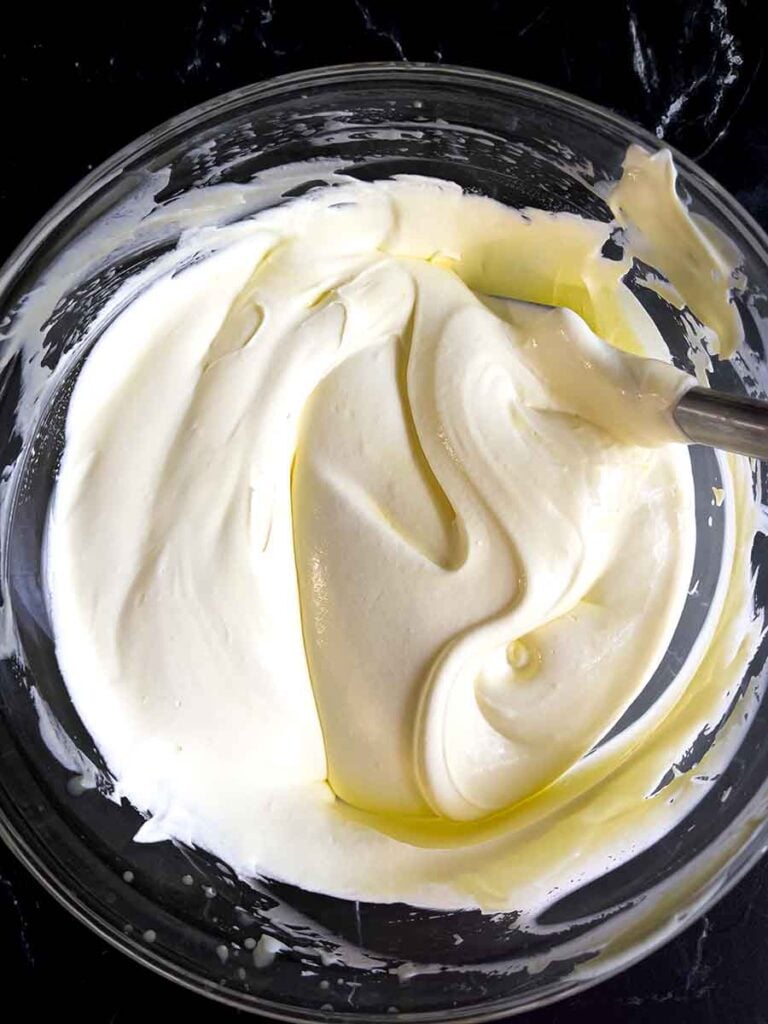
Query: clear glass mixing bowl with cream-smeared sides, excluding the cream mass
178	910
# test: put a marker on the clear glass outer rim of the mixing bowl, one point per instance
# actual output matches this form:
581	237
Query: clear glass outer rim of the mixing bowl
735	867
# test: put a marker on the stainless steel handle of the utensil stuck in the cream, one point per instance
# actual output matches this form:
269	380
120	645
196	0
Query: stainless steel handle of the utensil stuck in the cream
724	421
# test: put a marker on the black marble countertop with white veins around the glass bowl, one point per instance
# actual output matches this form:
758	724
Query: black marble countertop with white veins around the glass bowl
80	81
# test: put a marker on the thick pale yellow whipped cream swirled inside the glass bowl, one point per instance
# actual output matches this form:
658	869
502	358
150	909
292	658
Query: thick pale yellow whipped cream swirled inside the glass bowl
357	550
